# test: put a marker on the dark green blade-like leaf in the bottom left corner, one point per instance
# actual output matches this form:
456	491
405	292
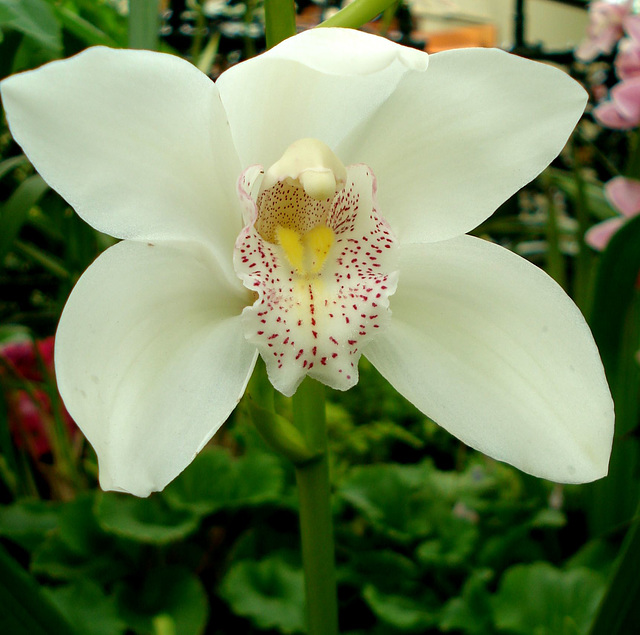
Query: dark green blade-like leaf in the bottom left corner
24	608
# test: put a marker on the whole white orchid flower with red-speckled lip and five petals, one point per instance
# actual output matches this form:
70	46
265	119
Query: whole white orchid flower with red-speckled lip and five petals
377	159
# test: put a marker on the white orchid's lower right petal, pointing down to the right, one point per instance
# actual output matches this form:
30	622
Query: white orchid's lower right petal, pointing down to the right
491	348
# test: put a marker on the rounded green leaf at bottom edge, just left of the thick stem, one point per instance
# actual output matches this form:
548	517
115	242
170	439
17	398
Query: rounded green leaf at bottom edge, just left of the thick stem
270	593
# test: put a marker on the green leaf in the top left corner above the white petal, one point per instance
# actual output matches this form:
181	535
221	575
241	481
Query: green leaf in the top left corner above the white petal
33	18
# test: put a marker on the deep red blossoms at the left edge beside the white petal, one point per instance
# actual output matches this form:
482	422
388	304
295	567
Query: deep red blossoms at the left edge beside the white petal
30	410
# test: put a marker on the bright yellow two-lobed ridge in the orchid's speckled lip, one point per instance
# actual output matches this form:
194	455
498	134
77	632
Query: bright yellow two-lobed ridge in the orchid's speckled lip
306	253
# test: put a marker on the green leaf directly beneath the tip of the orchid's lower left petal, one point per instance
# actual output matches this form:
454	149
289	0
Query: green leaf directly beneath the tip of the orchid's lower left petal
146	520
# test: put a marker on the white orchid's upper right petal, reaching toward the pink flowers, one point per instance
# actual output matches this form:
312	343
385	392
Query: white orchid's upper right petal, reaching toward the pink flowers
452	144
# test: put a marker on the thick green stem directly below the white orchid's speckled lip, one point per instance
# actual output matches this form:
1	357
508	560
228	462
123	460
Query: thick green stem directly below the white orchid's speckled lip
318	557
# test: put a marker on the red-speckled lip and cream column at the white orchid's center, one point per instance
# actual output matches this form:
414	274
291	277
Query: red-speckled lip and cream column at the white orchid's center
323	267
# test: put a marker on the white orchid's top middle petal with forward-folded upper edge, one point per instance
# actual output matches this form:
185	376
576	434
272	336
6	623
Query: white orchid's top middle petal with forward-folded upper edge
320	84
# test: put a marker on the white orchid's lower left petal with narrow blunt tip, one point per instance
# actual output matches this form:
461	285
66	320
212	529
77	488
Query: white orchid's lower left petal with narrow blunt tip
151	359
